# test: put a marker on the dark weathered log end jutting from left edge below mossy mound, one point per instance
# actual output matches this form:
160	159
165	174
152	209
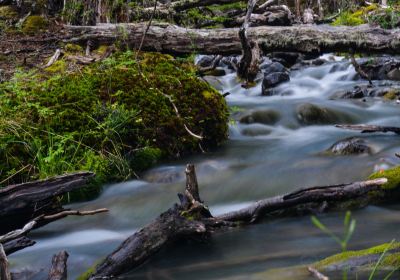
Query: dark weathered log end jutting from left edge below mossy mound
20	204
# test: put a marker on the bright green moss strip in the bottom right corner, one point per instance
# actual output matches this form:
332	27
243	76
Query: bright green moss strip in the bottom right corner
342	257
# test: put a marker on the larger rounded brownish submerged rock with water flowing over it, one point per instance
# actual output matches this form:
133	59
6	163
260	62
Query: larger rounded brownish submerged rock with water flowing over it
310	114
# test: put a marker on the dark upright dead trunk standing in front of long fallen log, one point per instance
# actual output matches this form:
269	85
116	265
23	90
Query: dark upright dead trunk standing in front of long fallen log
249	65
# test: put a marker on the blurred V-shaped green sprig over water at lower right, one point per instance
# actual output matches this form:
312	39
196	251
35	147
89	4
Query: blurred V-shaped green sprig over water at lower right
349	227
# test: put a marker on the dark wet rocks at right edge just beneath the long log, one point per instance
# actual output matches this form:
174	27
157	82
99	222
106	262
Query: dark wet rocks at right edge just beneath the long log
379	68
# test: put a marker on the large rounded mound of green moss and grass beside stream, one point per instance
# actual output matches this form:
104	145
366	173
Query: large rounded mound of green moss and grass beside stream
114	118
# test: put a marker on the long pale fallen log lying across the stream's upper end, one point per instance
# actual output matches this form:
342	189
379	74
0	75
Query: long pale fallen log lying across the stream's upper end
301	38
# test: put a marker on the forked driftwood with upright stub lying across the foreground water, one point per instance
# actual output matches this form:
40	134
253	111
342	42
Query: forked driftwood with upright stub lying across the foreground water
191	218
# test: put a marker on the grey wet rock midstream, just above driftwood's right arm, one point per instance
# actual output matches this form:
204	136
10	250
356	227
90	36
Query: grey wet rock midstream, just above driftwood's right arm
350	146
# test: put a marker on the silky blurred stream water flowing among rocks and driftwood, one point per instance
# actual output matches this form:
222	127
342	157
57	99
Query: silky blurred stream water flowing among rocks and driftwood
246	169
